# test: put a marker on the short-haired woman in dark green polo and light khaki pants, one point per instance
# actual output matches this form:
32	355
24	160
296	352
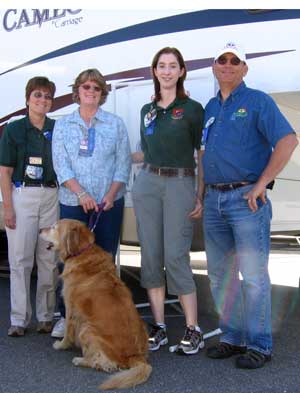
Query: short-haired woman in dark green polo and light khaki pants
29	191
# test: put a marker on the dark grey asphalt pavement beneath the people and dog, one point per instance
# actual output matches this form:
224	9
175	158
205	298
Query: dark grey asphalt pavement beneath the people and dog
30	364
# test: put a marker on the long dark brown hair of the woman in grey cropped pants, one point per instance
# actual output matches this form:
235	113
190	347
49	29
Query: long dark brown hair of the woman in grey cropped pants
180	92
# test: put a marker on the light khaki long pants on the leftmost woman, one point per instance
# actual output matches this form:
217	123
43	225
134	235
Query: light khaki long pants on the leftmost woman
36	208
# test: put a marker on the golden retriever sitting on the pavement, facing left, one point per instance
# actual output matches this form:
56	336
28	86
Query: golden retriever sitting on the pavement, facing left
101	317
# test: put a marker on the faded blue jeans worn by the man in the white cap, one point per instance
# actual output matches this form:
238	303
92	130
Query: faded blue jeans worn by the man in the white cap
238	241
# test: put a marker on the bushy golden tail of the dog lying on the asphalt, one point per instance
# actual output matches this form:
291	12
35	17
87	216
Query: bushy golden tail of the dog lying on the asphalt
128	378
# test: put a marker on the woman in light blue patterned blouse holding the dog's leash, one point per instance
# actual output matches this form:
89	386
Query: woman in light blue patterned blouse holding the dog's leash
91	157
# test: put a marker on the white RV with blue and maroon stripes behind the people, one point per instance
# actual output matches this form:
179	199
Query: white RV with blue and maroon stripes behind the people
59	43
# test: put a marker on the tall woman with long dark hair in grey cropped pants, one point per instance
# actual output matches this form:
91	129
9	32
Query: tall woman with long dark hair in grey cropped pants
165	199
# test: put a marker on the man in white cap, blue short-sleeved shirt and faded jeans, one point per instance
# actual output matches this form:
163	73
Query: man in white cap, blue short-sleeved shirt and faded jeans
246	142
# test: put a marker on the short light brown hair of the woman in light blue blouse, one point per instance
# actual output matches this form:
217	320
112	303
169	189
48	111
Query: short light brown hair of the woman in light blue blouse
93	75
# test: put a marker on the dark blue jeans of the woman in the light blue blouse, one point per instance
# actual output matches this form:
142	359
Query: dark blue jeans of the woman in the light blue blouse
107	233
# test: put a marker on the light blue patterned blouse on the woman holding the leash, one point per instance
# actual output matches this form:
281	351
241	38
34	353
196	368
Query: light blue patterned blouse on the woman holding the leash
110	161
